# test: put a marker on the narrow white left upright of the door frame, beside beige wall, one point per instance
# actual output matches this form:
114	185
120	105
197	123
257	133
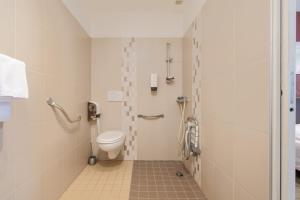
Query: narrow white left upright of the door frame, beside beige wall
275	96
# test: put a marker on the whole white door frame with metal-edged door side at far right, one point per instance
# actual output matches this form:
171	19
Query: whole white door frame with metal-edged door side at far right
283	103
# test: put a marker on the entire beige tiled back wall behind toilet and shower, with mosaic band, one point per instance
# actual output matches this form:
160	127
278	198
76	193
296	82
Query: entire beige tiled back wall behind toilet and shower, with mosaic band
129	63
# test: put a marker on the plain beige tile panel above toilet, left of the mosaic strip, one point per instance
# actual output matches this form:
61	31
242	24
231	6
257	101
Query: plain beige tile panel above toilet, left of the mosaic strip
105	76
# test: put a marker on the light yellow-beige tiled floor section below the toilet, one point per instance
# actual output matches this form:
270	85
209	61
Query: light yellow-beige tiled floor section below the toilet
105	181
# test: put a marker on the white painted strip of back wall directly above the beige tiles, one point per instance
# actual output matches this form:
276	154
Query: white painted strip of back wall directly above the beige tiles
136	24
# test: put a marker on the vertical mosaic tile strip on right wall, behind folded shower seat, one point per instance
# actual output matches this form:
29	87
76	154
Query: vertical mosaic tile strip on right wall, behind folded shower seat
196	91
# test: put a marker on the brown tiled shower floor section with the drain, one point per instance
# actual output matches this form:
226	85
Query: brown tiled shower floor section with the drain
157	180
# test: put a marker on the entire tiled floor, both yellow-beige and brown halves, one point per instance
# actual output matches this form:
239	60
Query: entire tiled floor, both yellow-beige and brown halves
138	180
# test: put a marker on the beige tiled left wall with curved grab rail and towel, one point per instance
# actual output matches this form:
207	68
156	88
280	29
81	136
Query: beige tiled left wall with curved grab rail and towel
41	153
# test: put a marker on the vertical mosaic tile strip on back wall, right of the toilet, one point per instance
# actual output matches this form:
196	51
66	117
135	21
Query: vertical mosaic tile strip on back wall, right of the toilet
129	88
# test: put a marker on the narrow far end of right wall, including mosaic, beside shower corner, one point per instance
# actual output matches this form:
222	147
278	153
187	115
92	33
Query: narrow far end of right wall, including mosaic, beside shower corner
192	87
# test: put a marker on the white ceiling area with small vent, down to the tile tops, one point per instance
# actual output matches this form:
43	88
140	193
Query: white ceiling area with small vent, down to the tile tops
134	18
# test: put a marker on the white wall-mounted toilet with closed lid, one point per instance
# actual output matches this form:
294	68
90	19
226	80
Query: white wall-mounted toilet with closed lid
111	142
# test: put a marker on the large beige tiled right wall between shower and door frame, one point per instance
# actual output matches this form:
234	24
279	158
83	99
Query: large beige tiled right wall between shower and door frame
234	120
